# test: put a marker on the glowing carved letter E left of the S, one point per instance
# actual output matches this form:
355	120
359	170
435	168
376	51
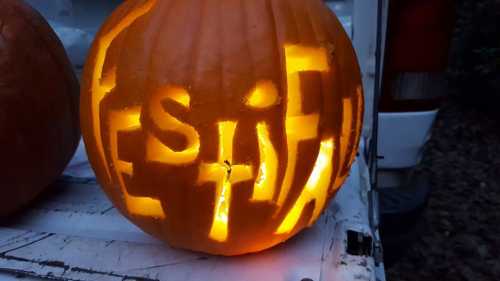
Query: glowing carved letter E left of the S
122	121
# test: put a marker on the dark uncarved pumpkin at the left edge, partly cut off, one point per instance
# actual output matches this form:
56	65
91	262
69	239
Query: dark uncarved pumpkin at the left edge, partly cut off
39	128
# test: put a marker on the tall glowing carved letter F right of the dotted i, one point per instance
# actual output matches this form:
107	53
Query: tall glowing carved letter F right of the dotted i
299	127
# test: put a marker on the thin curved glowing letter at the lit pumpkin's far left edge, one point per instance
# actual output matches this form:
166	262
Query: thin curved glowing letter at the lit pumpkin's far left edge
101	87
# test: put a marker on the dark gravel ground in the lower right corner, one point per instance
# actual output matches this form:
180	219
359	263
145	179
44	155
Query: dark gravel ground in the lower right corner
459	237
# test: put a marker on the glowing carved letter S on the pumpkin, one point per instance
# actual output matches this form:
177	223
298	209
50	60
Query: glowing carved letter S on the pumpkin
156	151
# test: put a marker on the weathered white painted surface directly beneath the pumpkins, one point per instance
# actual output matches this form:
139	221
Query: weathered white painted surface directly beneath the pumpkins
73	233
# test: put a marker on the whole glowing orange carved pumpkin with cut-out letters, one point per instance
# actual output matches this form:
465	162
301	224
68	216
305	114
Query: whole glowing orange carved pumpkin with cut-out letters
222	126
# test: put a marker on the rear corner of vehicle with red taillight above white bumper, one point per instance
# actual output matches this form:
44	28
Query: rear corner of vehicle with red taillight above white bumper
418	41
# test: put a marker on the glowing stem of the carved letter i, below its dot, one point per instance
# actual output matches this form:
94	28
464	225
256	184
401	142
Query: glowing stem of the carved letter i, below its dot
265	184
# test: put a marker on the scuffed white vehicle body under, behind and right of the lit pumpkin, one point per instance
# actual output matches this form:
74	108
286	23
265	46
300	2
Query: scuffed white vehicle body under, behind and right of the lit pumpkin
76	234
